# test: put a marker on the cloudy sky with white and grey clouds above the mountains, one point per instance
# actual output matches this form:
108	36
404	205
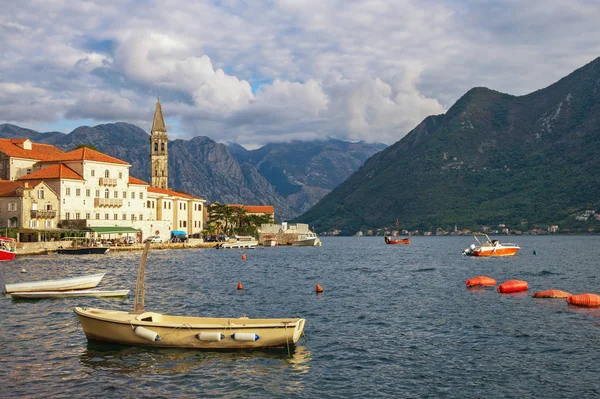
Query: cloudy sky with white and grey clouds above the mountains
279	70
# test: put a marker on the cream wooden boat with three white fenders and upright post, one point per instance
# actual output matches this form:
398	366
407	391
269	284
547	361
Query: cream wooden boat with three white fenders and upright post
155	329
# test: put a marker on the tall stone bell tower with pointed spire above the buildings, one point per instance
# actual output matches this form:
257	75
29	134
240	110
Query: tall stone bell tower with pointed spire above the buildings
159	156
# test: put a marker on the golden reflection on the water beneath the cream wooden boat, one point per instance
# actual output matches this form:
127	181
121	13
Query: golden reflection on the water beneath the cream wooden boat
136	360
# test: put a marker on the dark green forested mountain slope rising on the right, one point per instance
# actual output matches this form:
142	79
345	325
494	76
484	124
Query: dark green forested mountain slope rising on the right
492	159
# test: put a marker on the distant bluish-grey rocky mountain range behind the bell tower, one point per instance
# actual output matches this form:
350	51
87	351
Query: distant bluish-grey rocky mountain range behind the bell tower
290	176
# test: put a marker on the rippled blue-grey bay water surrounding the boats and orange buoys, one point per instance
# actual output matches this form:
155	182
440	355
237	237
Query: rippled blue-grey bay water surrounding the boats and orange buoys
394	321
